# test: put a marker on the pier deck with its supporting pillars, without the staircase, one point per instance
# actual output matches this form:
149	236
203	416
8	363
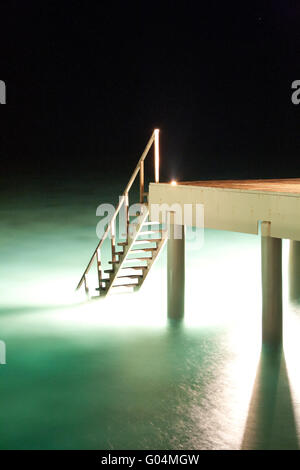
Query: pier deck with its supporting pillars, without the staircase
270	208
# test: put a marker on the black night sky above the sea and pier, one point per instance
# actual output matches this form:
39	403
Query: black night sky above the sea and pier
88	81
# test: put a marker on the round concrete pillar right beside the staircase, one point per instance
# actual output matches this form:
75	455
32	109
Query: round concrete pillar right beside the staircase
176	270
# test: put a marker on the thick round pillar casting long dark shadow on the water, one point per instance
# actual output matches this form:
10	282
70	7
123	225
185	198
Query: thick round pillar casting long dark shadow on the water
271	258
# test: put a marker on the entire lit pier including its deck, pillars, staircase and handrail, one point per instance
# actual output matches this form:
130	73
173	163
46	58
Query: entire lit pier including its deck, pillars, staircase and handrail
267	208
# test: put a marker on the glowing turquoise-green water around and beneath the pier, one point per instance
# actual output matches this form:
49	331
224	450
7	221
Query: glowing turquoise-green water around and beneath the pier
115	374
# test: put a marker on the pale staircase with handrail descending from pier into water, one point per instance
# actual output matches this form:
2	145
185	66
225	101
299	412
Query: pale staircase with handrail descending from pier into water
130	260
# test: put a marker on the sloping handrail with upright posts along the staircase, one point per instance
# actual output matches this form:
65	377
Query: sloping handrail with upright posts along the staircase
124	199
